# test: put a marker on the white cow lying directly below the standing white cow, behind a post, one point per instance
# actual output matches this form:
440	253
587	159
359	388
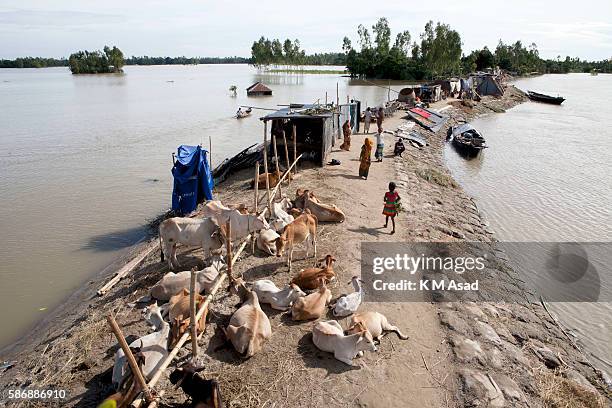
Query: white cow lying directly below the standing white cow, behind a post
174	283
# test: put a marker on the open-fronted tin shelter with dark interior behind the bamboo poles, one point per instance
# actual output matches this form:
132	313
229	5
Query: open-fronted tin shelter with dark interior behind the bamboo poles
314	127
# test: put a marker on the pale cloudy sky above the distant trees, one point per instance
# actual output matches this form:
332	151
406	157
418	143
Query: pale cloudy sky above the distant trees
56	28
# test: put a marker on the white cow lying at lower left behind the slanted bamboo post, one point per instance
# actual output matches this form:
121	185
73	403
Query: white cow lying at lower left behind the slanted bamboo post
153	346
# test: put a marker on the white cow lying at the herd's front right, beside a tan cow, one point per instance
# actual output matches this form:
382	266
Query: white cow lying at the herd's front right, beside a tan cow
328	336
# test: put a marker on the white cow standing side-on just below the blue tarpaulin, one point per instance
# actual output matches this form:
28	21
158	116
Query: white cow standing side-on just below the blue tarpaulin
201	232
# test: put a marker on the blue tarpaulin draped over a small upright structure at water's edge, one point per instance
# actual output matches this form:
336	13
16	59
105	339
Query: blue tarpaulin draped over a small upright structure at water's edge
193	182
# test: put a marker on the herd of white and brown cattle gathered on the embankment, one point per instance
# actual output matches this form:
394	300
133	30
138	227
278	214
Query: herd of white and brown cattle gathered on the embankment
287	225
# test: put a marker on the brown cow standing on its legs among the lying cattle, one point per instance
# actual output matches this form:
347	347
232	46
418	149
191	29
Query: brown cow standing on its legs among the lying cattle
304	228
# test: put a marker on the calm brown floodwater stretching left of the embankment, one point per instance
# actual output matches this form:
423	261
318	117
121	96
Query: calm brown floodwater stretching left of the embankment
85	161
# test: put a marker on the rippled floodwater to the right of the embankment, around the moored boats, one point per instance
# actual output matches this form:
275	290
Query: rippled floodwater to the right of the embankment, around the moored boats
546	177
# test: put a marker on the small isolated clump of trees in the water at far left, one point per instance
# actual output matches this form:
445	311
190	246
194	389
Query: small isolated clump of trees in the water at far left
108	60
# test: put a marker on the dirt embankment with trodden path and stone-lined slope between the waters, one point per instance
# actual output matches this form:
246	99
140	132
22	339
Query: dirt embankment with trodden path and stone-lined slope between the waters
458	354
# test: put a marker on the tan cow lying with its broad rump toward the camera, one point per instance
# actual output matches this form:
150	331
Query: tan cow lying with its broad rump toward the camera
249	327
